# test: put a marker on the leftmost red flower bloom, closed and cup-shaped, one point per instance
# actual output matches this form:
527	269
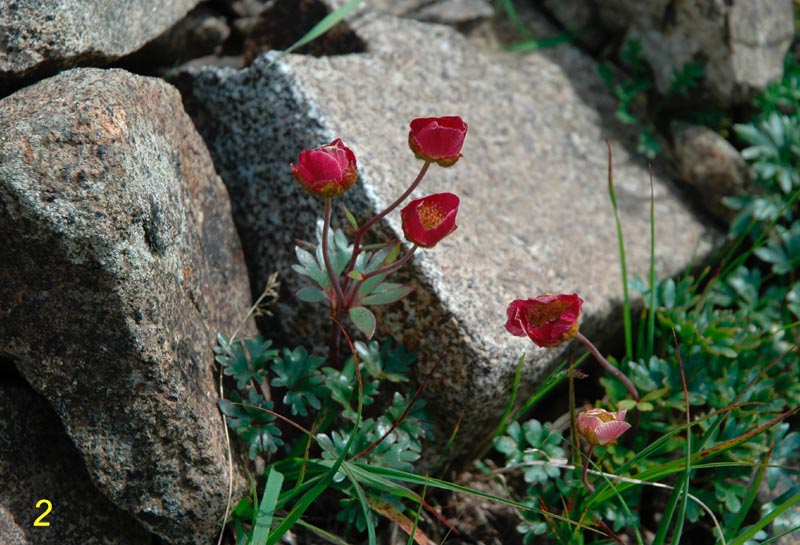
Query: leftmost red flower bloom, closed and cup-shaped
327	171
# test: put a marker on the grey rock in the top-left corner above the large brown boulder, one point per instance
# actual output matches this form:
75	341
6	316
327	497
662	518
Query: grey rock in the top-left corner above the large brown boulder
39	38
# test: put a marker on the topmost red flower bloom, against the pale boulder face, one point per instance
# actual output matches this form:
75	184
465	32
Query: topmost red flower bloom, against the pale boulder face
437	139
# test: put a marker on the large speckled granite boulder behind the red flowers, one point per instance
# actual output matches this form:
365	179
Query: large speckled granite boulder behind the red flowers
534	214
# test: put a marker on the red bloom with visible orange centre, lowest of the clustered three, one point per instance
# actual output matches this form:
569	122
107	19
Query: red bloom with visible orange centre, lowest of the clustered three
428	220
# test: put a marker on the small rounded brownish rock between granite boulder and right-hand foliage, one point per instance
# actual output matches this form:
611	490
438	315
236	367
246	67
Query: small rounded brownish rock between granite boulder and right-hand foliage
711	165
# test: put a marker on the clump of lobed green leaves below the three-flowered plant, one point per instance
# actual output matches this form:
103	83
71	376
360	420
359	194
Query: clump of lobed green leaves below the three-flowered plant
331	400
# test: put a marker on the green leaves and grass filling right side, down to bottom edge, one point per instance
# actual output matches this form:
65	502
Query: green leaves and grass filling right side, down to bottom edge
723	344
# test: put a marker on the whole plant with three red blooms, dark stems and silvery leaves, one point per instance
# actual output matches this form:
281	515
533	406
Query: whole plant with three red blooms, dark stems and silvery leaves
331	170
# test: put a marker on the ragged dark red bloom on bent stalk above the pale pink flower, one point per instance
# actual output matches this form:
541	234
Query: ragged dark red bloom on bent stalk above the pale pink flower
548	320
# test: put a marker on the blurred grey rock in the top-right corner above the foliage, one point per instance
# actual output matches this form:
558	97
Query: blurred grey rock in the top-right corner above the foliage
741	44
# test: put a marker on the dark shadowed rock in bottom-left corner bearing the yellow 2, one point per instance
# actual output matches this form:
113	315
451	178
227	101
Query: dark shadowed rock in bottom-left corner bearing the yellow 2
38	461
